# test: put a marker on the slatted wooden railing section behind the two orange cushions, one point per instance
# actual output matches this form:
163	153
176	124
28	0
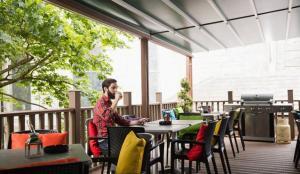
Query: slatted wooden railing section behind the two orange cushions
58	119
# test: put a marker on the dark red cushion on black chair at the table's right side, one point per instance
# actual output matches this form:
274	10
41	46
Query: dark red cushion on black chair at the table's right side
196	151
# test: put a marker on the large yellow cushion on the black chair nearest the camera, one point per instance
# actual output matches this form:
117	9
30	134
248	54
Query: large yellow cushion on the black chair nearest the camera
131	155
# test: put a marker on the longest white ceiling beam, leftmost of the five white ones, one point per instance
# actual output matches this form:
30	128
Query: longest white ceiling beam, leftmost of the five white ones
157	22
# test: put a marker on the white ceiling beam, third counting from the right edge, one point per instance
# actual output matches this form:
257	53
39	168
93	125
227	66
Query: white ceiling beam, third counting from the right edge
213	4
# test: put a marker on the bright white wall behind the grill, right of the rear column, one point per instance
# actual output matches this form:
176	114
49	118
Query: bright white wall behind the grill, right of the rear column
260	68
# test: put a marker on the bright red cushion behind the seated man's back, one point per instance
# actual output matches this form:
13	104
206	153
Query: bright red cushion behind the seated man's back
94	146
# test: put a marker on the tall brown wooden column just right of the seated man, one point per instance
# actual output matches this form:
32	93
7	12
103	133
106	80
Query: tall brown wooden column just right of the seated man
145	77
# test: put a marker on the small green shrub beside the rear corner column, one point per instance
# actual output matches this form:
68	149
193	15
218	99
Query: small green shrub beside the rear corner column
185	101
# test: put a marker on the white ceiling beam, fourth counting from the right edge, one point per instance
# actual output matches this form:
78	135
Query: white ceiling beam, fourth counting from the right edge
170	4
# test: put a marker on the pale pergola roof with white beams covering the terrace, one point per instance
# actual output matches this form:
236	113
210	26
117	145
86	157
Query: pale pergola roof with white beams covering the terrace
190	26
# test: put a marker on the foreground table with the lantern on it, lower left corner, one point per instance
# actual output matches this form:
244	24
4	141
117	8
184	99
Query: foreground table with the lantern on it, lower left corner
74	161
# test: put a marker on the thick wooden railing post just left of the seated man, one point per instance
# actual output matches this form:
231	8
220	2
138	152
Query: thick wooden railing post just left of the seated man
74	117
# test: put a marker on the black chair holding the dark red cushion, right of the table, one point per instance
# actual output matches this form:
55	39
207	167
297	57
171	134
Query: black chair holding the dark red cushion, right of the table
204	157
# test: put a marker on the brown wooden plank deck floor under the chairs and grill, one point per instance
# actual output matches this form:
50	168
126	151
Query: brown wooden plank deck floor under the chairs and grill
258	158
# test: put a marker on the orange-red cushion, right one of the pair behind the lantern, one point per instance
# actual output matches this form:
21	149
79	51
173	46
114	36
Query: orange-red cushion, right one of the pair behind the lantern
53	139
